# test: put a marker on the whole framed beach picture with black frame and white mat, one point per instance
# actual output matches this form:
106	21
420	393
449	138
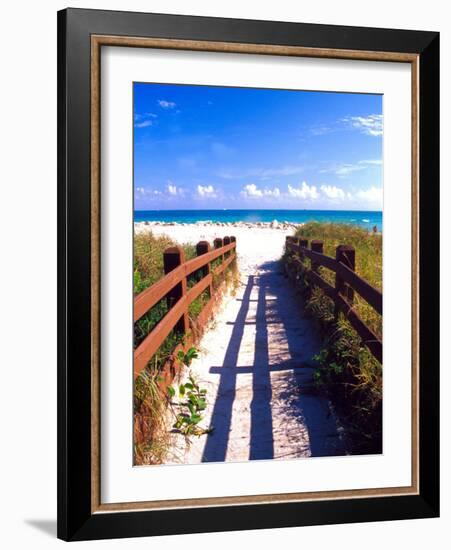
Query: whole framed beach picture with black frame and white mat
248	274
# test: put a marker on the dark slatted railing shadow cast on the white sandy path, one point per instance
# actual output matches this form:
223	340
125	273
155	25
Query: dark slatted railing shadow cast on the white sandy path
293	410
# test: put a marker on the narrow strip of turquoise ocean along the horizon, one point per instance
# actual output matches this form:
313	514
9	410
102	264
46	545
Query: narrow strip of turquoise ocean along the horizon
362	218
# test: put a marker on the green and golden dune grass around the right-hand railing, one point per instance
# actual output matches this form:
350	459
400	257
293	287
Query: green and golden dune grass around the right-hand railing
346	369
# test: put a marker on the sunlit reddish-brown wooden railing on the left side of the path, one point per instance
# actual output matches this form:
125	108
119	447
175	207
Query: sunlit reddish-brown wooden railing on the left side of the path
174	288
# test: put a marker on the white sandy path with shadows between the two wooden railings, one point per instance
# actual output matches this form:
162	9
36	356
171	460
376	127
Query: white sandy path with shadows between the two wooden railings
256	362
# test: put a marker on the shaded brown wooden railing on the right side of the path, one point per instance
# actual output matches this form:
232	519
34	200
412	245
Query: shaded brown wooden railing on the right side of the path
346	283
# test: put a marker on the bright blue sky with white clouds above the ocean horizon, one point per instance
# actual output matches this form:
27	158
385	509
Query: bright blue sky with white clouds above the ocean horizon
203	147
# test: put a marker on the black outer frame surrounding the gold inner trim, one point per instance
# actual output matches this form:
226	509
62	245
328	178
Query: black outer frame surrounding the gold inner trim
75	520
